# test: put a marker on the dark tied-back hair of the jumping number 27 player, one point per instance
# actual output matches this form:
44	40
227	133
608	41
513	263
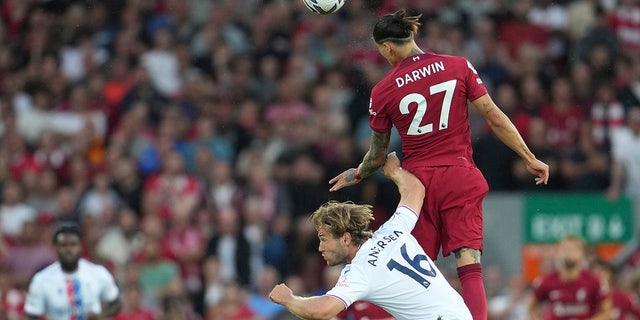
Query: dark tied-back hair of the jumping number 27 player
396	27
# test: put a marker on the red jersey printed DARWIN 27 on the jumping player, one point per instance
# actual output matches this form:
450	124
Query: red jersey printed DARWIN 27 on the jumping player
425	98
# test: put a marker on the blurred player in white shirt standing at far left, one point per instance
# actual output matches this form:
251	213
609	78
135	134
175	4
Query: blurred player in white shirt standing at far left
72	288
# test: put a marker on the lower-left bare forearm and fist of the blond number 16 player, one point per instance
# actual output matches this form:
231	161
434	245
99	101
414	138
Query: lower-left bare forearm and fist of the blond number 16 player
317	307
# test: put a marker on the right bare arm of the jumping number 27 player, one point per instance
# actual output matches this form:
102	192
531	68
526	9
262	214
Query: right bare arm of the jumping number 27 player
509	135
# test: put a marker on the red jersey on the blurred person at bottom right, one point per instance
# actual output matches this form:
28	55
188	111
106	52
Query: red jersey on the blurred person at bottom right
575	299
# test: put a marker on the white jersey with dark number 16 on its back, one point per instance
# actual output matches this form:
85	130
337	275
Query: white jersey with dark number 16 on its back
393	271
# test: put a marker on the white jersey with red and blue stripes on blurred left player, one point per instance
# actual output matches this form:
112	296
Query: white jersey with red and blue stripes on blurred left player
64	296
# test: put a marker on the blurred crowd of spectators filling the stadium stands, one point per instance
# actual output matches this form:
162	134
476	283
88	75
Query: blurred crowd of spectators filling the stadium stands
191	139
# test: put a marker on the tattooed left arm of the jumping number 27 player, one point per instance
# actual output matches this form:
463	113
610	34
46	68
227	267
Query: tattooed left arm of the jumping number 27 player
373	160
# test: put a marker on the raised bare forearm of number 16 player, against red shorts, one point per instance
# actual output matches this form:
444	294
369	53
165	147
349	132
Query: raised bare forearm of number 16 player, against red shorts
411	189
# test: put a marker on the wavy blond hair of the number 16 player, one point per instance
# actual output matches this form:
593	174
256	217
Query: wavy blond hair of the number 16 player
343	217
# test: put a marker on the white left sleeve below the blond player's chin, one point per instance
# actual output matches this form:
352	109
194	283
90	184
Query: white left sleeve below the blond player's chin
351	286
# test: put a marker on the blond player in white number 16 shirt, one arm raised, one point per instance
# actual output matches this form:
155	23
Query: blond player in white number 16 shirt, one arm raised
386	267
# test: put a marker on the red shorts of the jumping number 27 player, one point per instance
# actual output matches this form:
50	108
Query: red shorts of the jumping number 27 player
451	215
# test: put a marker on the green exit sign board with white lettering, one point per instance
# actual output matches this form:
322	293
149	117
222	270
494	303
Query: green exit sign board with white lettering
549	217
